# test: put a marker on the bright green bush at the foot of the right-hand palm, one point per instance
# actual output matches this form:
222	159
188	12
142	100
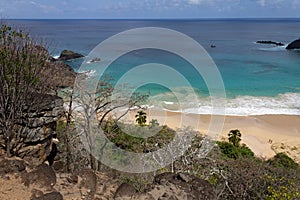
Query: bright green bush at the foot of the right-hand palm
234	152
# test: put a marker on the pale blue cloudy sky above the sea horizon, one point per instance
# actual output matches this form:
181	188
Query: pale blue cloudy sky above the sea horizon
144	9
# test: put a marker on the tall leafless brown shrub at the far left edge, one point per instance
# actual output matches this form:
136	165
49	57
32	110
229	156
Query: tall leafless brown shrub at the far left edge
22	62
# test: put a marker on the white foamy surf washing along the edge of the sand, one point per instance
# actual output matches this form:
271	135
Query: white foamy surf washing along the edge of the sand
288	104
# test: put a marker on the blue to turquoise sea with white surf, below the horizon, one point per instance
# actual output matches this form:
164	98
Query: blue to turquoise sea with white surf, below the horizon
258	78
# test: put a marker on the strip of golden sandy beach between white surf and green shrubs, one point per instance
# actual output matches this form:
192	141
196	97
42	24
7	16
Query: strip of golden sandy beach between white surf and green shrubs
265	135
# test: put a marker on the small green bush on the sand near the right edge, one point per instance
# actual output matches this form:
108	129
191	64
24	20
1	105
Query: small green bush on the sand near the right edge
284	161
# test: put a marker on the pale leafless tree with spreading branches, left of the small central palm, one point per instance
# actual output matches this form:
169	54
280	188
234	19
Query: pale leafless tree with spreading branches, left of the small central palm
96	110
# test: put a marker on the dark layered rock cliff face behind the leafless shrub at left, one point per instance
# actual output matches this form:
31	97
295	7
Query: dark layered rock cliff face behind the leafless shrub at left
33	139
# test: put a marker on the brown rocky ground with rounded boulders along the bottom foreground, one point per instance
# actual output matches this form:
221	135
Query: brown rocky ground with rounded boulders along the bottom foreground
42	182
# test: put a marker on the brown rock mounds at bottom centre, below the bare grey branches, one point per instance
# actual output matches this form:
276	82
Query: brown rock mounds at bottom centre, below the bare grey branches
169	186
